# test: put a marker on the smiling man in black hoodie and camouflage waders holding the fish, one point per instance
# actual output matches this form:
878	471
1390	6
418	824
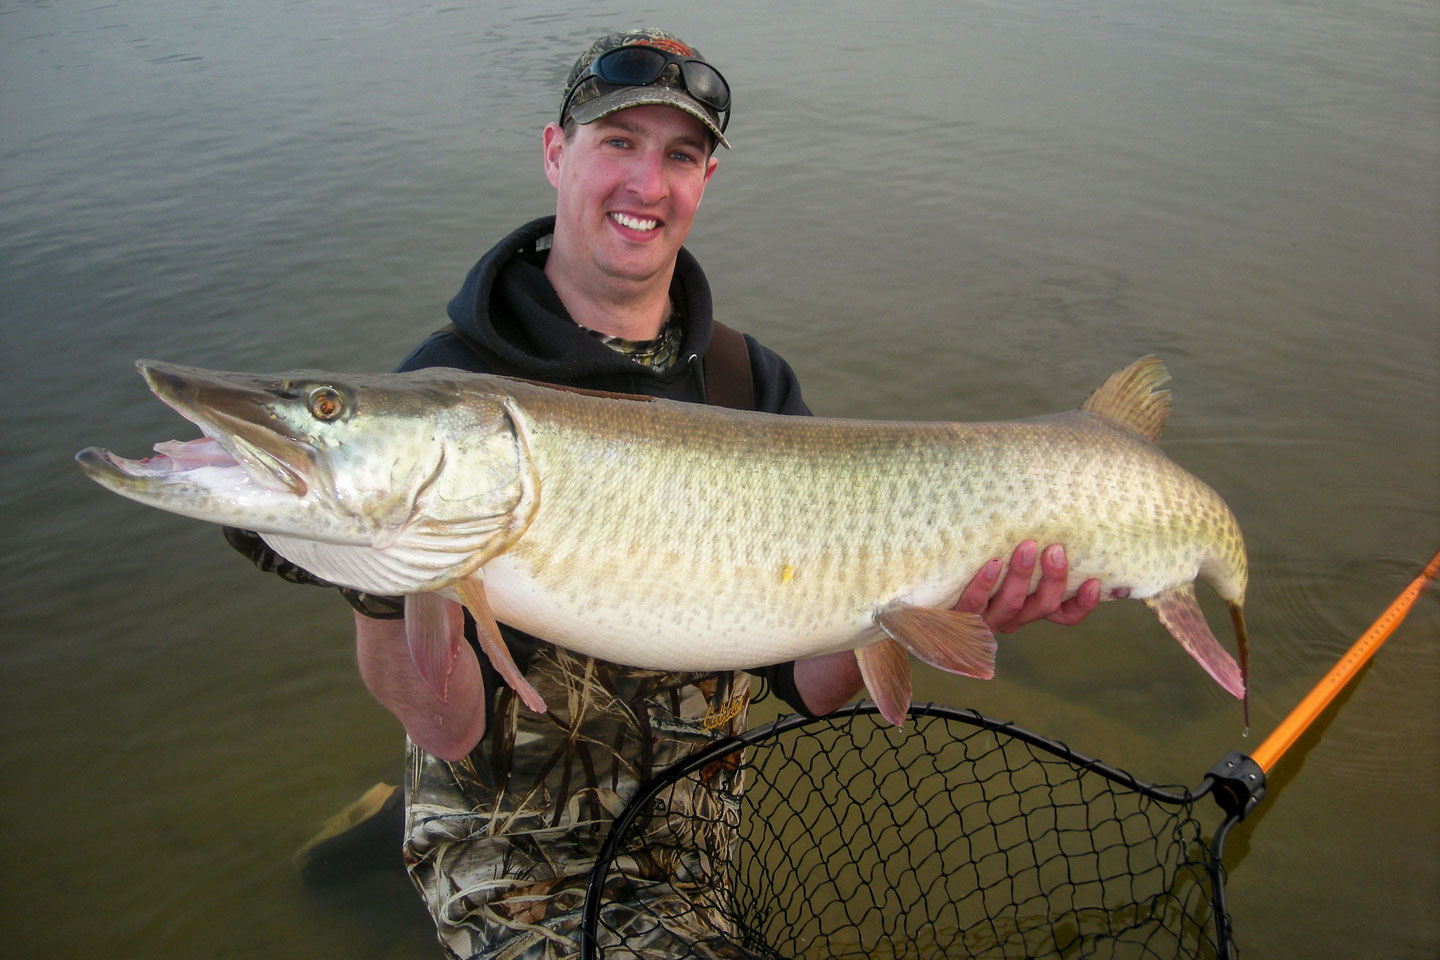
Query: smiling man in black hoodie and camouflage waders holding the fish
505	808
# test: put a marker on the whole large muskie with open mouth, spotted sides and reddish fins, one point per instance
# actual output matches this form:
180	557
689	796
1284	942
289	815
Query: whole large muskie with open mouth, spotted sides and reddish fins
688	538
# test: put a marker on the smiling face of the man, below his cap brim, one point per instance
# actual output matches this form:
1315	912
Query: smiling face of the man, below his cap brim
629	191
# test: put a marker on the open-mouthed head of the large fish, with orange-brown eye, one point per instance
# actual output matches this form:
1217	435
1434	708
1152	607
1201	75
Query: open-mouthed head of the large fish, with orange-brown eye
361	461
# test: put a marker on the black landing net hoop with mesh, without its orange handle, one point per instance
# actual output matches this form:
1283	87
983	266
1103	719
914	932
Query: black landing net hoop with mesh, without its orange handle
954	837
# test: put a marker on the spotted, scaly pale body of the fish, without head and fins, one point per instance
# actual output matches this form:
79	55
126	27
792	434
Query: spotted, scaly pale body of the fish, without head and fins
701	539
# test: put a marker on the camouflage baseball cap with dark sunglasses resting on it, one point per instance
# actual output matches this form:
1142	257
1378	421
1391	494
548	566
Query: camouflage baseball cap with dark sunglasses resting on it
686	81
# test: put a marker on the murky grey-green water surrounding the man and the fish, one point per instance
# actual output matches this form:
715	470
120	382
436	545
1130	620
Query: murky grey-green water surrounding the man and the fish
935	211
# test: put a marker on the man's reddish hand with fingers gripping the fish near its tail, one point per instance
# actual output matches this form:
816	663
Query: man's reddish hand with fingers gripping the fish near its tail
1013	605
